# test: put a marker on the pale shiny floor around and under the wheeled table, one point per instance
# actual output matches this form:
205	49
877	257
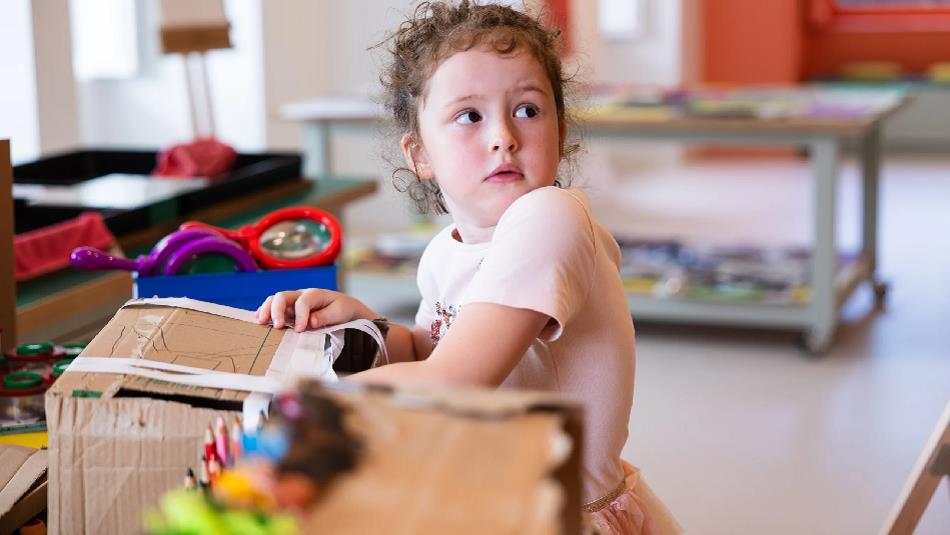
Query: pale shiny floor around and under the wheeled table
737	429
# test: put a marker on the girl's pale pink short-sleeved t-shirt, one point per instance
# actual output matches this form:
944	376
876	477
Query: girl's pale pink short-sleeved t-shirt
549	254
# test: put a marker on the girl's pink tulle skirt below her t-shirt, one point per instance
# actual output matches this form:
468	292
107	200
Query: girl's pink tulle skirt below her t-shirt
636	511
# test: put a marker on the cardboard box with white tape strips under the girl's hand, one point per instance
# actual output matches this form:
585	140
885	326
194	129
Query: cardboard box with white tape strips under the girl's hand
119	440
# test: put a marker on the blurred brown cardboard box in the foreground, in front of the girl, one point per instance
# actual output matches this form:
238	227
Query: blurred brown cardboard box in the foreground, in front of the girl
454	461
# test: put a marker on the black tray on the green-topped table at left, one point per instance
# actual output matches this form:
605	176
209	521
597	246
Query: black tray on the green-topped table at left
251	172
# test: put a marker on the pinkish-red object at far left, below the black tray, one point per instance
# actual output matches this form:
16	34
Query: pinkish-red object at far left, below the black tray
47	249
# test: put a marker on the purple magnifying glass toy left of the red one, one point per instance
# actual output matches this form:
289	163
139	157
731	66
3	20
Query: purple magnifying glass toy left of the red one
181	252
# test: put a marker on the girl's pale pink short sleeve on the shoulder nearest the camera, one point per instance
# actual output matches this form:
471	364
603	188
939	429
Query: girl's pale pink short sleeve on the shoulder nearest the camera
541	258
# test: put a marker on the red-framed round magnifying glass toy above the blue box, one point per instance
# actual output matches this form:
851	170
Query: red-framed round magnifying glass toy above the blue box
289	238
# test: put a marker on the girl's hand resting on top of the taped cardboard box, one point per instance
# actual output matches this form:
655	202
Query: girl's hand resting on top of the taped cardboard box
311	308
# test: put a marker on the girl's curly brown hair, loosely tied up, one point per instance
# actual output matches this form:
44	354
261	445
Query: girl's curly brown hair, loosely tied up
437	30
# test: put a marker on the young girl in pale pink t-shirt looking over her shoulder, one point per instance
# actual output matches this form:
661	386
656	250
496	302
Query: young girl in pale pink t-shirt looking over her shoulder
523	290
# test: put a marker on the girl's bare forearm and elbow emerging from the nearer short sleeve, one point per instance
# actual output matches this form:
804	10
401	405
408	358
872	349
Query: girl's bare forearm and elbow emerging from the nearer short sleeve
482	347
